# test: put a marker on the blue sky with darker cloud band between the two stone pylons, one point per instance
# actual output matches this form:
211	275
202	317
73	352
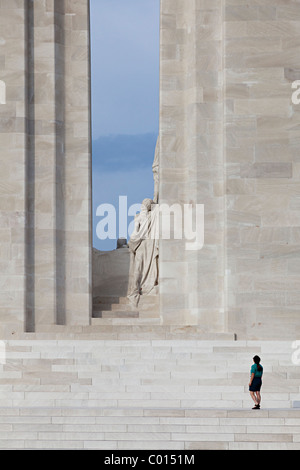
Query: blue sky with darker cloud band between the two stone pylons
125	101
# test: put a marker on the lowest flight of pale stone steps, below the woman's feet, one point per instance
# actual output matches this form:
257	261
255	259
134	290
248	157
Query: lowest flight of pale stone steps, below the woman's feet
148	428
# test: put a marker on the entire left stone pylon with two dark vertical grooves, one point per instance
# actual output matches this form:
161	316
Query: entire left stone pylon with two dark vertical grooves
45	163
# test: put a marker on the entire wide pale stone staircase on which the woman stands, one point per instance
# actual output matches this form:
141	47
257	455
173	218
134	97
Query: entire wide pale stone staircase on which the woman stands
146	394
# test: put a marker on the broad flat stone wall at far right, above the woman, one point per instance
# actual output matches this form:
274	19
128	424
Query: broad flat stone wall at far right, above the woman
262	167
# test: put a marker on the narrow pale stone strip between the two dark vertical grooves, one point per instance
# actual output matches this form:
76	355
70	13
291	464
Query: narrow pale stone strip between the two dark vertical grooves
44	135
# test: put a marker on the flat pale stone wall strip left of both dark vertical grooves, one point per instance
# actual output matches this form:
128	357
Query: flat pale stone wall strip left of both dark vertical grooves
13	156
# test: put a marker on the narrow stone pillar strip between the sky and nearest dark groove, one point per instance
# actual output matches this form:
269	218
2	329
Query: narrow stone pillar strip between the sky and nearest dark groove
78	164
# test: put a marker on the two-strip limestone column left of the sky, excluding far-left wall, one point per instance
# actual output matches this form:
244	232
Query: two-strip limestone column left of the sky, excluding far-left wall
63	162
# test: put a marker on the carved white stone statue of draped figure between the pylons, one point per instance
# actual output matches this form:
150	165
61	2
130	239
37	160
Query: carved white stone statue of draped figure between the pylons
143	246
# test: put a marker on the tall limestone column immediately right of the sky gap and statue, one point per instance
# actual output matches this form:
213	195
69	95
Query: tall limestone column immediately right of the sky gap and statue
191	159
